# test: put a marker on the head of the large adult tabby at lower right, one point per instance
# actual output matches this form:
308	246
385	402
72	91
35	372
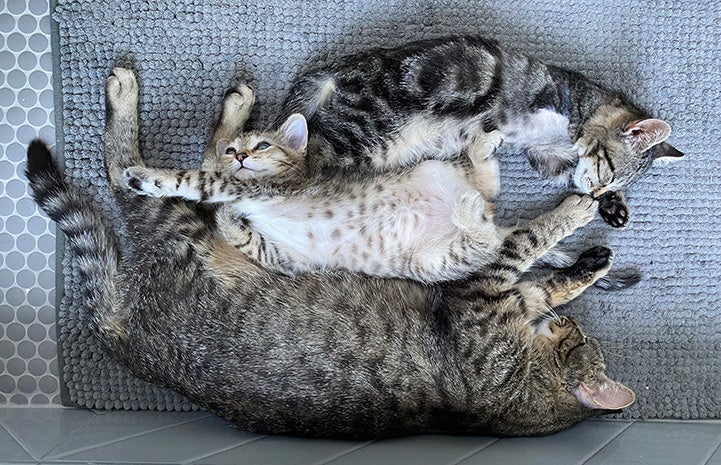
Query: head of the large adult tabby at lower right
578	371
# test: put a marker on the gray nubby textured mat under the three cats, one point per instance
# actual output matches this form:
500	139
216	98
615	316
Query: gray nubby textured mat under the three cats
662	337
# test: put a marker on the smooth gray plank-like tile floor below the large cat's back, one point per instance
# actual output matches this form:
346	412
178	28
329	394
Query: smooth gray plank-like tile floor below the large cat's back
72	436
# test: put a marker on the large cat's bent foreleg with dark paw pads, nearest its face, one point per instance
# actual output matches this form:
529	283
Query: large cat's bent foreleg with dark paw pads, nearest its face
565	285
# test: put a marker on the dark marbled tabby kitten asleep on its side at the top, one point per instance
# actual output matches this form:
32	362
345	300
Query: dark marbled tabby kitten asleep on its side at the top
394	107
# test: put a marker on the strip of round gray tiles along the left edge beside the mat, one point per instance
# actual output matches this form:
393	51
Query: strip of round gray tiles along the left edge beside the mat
28	357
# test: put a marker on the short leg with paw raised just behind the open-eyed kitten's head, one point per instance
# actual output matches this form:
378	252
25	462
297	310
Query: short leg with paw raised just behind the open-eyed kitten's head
237	105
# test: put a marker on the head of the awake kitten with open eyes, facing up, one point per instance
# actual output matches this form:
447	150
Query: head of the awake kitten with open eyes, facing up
258	154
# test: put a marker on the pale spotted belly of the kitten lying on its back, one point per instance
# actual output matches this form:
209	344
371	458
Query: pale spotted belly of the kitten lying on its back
382	232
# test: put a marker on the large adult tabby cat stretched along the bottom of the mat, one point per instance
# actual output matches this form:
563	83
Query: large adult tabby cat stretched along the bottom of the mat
332	355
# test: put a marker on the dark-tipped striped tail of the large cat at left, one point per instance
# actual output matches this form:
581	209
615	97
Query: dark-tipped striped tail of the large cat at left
88	236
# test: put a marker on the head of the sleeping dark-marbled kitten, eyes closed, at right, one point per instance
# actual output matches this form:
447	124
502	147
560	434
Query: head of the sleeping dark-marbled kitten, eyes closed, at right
616	146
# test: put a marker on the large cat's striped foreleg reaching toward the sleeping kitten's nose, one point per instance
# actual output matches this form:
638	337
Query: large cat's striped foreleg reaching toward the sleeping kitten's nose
523	246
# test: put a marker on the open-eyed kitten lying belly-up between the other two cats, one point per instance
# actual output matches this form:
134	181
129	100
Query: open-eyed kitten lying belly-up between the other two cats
432	222
